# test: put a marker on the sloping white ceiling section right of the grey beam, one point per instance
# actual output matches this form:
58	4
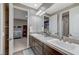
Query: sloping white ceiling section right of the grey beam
58	6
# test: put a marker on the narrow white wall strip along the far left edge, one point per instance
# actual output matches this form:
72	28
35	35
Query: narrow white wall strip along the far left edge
1	30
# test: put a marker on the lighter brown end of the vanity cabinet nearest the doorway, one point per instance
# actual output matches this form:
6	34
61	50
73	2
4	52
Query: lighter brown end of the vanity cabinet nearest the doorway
36	46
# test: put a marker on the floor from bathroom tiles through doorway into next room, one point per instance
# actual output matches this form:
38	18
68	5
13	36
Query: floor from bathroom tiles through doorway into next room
20	47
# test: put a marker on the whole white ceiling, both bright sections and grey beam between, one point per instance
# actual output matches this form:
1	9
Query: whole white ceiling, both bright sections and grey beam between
50	7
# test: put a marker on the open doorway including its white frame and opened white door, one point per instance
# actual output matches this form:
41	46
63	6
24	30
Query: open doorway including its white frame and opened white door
18	27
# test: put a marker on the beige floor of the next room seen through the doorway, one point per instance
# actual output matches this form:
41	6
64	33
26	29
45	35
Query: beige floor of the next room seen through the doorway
20	44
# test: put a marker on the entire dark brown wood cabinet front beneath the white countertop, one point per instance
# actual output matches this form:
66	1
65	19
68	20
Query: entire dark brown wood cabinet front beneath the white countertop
40	48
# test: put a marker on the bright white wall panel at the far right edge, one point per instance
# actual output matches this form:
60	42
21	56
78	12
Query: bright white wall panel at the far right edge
74	21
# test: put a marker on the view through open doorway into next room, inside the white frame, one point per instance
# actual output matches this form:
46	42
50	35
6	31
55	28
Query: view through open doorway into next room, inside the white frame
20	30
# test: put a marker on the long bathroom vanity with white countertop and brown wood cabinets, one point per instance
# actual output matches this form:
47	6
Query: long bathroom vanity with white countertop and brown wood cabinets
42	45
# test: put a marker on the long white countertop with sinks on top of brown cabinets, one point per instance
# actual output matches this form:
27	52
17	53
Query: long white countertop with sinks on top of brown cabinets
59	45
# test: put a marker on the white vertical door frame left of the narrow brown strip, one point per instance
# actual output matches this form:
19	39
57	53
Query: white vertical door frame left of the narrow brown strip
2	30
